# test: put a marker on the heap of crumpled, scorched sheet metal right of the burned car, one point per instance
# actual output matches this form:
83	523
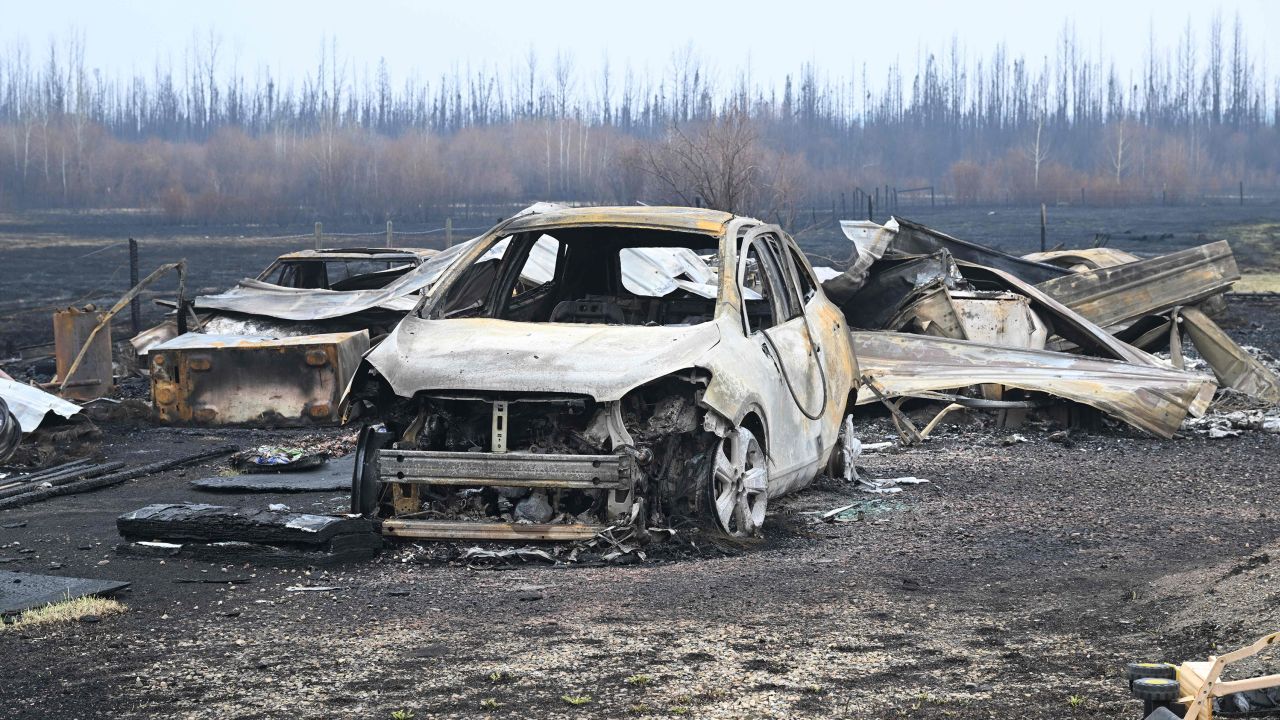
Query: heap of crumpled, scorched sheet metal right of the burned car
935	313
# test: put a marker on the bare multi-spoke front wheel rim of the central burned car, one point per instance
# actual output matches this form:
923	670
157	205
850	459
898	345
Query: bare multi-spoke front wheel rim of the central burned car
740	485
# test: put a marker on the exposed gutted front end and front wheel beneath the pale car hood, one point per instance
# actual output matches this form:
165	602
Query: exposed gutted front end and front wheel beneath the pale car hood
559	467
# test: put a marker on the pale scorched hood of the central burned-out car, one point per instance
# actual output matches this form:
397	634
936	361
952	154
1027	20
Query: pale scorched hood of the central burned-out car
478	354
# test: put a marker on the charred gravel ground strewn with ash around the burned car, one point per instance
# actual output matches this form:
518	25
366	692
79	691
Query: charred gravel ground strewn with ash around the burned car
1014	585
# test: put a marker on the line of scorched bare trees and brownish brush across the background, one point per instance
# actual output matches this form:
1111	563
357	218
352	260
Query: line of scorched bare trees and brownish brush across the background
205	142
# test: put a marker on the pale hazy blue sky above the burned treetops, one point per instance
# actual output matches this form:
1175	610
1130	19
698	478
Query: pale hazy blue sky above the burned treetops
429	39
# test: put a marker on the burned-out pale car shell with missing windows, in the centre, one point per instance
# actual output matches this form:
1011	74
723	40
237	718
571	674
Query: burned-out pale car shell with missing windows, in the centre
619	391
